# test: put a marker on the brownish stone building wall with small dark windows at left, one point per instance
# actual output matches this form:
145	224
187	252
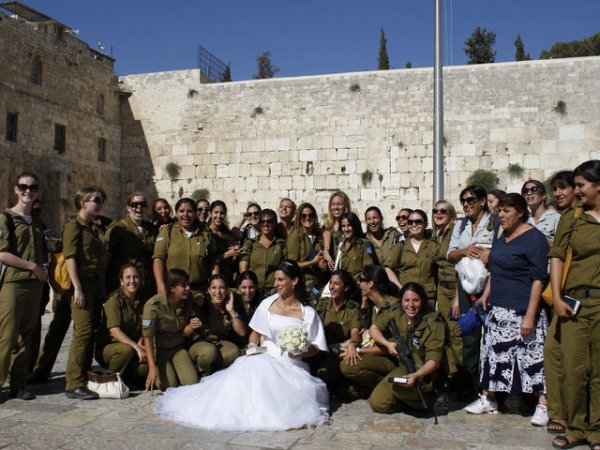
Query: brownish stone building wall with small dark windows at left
73	78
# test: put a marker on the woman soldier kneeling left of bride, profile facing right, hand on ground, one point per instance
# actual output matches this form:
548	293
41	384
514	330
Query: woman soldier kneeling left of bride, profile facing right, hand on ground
165	325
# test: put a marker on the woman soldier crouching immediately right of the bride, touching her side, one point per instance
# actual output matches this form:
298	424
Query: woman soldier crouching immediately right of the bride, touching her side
340	315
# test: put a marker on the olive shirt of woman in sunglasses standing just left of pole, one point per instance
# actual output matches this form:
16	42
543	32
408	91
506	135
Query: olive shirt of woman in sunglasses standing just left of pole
418	267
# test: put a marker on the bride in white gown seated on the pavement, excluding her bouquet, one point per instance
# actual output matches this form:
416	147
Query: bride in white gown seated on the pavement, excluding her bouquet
268	391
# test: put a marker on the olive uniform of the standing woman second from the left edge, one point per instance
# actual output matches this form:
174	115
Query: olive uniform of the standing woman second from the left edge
84	244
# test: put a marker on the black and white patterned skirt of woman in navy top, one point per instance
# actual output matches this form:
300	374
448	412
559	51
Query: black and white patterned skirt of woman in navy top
511	363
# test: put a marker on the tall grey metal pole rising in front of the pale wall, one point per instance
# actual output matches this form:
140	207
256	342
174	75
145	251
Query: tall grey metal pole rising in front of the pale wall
438	109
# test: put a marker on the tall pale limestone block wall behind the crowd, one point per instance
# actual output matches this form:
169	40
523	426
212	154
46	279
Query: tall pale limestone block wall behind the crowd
369	134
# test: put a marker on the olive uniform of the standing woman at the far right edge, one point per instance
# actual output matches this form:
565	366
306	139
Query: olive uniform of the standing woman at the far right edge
580	336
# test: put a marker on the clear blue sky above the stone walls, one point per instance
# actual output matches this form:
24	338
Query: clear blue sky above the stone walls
312	37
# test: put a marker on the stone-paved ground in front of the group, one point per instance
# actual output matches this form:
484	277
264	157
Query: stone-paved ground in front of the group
53	421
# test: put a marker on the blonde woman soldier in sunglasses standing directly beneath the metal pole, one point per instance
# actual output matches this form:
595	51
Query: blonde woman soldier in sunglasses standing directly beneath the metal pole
444	218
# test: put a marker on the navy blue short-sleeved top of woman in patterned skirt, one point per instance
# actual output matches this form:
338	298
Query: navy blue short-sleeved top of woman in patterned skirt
514	266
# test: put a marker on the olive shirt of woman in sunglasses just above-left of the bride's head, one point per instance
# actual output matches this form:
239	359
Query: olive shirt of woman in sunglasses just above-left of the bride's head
264	261
